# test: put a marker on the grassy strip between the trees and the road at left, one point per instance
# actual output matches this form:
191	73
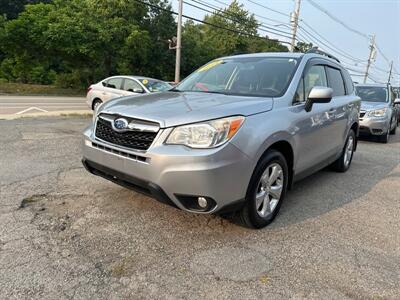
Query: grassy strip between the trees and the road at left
37	89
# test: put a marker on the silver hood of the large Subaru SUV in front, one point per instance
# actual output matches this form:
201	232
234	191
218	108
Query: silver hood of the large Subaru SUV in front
178	108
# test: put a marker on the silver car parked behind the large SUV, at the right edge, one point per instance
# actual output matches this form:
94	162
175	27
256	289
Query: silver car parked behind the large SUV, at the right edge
378	115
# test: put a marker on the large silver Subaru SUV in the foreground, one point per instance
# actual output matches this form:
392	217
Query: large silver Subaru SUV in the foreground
233	136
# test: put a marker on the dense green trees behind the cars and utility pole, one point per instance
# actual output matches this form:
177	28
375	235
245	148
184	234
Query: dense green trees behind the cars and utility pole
77	42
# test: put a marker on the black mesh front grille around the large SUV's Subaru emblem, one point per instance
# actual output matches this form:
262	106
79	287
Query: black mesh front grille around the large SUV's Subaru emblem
130	139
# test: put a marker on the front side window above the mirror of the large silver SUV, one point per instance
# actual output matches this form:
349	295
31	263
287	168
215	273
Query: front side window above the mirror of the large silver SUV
314	76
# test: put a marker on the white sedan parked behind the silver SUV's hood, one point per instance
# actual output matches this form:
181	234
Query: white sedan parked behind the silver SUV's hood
118	86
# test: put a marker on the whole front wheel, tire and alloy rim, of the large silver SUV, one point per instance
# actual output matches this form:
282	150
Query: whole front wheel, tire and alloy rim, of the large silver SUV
264	185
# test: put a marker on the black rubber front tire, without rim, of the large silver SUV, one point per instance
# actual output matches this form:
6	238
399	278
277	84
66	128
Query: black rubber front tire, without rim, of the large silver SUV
270	157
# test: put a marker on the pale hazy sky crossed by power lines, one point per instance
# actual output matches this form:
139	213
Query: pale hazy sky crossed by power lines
380	17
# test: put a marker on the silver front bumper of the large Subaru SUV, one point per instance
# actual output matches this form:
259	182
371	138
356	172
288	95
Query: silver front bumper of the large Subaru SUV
174	174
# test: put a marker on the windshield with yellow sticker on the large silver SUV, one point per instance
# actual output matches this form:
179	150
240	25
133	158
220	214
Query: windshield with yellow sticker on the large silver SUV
251	76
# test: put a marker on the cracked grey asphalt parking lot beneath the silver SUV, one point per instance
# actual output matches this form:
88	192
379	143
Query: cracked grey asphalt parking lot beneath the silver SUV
65	233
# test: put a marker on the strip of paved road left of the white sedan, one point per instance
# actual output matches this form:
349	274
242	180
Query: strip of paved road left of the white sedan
33	104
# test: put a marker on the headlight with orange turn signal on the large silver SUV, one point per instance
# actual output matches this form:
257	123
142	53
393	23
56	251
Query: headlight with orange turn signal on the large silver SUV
206	134
